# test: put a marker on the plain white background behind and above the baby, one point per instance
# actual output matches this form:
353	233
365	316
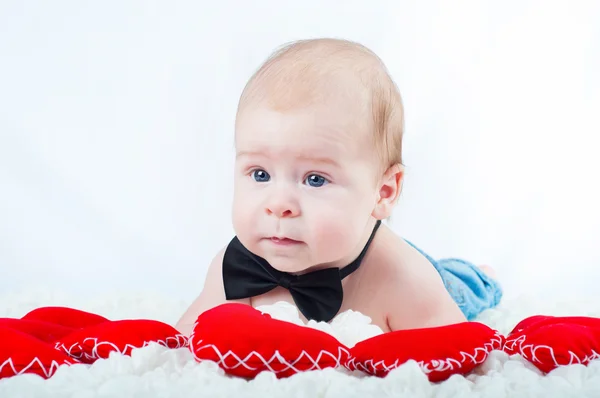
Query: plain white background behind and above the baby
116	122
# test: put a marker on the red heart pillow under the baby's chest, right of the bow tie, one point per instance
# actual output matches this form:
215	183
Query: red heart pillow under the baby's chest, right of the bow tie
440	351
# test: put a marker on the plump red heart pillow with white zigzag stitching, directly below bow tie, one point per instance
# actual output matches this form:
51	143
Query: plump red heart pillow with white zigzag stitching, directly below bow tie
245	342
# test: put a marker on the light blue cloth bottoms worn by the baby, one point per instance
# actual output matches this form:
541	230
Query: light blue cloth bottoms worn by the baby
473	290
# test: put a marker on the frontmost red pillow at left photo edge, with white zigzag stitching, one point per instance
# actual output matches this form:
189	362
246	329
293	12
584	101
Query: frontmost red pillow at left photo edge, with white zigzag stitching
21	353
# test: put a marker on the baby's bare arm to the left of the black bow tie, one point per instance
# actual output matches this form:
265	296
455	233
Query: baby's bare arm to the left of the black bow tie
212	295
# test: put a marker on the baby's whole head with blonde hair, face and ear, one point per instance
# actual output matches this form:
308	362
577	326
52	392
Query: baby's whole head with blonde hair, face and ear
318	139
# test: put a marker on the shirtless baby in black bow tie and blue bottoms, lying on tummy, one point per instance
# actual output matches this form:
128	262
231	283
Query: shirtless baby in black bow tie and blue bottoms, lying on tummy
318	139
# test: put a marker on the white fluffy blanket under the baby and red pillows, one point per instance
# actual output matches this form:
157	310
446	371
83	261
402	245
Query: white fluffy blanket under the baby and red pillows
157	372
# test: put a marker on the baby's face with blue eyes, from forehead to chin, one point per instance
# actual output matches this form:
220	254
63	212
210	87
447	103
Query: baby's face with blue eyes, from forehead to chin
305	184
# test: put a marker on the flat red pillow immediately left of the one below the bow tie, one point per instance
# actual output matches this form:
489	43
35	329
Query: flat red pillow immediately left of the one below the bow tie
98	341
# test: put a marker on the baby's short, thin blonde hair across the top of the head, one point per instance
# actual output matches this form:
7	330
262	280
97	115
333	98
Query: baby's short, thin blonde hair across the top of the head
314	68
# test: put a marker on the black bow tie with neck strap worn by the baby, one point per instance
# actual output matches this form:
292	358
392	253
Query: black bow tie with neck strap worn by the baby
318	294
